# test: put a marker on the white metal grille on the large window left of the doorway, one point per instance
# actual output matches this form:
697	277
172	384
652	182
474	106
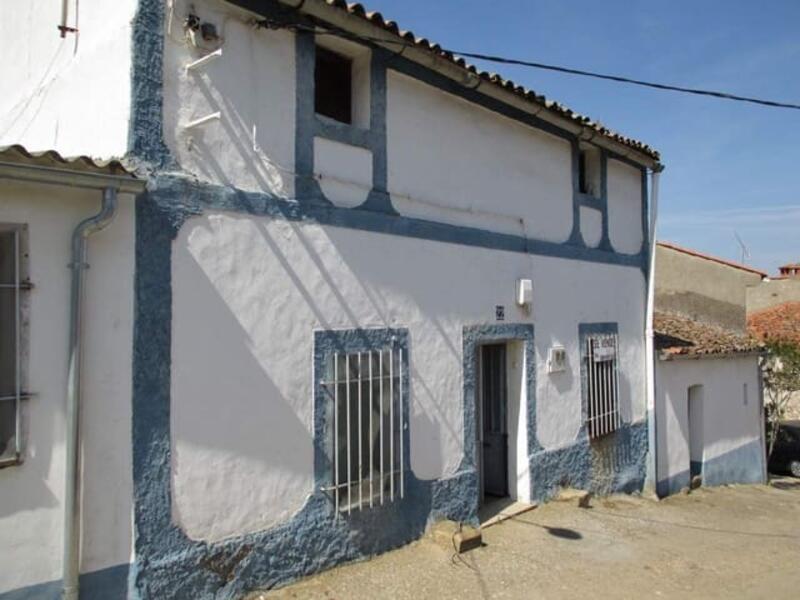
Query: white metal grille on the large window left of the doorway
366	389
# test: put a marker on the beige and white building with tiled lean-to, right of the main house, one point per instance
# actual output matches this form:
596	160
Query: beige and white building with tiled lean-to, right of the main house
709	398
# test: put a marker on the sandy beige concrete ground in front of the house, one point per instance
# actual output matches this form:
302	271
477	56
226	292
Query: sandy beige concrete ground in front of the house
731	542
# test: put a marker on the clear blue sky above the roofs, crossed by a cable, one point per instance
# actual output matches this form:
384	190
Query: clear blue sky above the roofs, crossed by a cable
731	167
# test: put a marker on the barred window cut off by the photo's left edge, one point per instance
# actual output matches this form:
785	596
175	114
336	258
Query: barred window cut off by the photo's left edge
13	285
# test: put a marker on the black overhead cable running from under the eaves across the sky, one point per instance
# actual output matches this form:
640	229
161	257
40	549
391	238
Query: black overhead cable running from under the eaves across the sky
537	65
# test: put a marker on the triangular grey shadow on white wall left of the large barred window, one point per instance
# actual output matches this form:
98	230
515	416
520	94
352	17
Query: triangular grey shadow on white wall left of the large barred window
226	371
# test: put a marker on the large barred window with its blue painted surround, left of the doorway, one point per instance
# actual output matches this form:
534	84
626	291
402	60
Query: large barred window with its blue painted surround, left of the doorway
361	398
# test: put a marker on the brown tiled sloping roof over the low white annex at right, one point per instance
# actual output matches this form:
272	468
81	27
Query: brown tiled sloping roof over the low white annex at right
680	335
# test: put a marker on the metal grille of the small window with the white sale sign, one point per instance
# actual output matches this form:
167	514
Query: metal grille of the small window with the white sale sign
602	384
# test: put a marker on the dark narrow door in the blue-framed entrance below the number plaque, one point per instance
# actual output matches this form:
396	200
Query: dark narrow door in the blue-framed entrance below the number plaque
495	434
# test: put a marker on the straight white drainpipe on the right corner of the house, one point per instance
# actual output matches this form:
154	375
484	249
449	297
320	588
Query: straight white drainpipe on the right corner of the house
650	358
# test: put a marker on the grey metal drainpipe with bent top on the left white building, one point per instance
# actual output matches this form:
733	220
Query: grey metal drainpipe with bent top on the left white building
72	516
